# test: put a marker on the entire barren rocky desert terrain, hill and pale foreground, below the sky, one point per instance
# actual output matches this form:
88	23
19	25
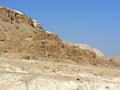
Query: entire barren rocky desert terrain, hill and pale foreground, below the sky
32	58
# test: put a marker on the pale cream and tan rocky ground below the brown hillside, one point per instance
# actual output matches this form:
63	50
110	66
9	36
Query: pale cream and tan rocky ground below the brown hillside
19	74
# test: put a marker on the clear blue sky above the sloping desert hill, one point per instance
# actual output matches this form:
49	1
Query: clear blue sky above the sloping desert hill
92	22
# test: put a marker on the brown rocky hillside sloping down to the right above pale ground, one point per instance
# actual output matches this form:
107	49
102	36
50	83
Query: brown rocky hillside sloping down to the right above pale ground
20	34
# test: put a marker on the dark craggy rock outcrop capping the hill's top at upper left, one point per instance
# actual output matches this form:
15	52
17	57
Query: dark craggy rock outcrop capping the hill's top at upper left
13	16
